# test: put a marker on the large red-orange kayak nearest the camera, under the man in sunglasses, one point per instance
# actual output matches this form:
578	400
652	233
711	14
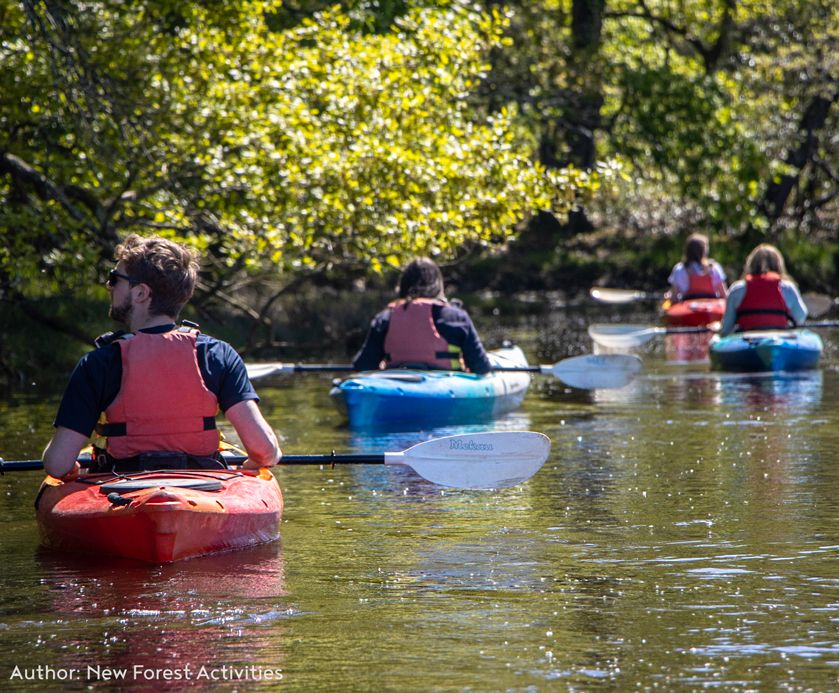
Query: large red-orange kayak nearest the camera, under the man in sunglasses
160	516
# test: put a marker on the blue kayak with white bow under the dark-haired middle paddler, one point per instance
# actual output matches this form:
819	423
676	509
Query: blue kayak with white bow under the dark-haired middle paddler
399	396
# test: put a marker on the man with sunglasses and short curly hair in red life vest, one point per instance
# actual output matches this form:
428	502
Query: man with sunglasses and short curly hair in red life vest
152	394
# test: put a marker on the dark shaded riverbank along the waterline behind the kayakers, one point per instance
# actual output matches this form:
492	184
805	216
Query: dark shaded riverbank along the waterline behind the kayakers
550	267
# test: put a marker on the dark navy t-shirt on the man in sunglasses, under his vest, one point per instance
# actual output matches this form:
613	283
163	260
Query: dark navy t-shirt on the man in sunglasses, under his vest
97	379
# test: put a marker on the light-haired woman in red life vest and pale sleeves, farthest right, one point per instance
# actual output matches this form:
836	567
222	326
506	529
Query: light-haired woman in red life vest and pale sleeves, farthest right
765	297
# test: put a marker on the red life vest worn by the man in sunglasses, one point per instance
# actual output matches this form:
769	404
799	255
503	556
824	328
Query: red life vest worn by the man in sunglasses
163	403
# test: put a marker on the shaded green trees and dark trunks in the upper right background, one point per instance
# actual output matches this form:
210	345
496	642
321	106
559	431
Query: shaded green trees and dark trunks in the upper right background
705	100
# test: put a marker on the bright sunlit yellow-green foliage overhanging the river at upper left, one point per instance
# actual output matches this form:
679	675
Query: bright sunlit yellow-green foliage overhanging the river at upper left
289	150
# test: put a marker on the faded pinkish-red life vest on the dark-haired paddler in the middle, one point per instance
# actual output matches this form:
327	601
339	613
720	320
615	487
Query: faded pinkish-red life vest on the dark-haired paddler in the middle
412	337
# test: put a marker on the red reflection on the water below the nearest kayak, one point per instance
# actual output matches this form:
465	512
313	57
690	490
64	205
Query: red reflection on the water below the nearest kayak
101	618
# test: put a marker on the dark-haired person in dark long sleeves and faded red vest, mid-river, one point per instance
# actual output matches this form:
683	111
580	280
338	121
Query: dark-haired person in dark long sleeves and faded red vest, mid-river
422	329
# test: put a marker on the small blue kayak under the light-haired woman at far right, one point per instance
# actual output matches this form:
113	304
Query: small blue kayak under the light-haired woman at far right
766	350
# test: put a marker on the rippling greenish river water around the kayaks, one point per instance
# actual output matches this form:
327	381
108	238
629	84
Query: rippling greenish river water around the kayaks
683	536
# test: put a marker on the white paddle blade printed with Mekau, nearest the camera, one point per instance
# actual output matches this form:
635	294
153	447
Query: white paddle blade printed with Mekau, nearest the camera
496	459
